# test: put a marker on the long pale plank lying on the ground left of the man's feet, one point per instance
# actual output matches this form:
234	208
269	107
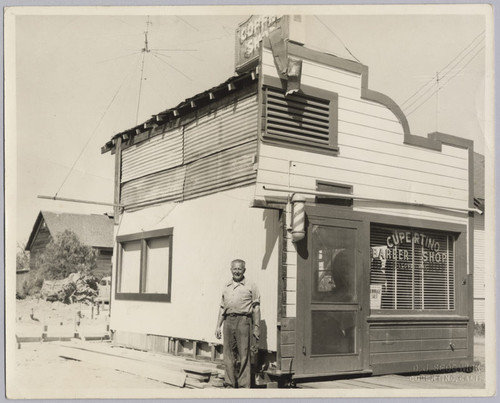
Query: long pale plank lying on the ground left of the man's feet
146	370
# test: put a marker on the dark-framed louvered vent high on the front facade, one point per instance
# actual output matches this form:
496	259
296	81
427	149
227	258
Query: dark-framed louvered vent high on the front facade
306	120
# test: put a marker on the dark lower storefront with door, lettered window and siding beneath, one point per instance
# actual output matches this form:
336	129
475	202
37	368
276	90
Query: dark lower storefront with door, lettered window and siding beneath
380	295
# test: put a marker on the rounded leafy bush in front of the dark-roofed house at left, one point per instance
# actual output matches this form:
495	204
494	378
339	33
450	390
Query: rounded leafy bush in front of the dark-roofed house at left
65	254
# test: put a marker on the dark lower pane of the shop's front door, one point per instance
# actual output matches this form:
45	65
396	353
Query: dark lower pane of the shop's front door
333	332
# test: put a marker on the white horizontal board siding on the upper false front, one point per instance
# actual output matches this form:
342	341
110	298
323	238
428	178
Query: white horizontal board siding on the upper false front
372	156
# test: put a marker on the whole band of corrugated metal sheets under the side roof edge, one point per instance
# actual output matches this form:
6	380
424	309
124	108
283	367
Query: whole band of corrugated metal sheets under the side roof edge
215	152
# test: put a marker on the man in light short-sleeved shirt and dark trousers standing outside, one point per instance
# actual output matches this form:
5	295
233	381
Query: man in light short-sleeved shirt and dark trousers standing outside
240	312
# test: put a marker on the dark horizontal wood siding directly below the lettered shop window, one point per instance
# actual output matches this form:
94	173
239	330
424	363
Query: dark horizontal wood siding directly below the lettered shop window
394	343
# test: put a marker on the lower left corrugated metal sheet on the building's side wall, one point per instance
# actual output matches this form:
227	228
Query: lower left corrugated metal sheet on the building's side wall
166	185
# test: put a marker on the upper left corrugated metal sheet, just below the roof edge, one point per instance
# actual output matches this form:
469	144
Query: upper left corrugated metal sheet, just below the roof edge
156	154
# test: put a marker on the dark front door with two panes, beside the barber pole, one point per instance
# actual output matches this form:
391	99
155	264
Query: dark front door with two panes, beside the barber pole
330	318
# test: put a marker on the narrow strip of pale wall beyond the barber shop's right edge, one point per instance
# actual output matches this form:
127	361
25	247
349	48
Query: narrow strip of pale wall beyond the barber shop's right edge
479	268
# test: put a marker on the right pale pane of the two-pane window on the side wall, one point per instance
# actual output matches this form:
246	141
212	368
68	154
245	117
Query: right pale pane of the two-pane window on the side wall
157	267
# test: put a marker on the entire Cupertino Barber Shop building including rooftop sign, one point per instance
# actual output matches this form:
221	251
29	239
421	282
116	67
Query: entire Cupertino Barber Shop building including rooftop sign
357	232
